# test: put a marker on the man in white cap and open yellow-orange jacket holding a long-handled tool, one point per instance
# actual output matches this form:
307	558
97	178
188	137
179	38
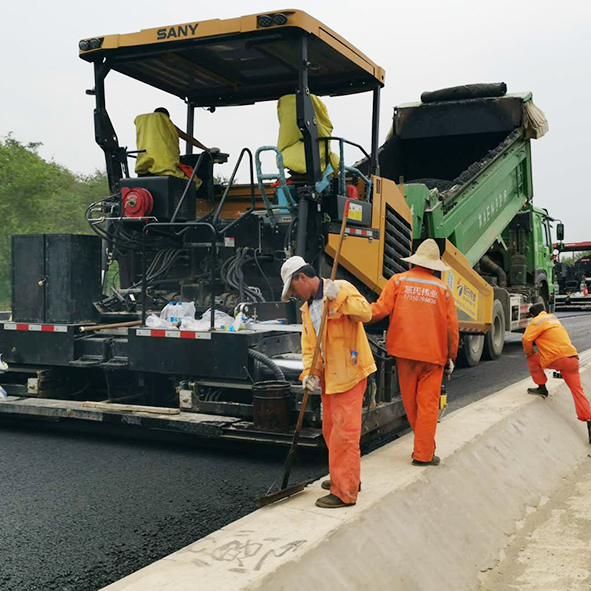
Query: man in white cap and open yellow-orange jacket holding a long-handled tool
344	363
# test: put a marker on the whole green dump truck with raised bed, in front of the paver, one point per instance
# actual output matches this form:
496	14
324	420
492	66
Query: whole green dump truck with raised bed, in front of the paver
464	155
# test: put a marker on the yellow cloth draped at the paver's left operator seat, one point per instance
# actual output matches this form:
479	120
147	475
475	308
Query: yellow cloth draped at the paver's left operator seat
157	135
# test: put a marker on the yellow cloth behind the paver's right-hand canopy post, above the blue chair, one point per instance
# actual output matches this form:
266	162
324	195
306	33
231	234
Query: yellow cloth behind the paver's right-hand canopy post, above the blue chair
290	137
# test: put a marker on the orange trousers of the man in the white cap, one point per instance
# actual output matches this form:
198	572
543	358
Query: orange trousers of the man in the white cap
341	427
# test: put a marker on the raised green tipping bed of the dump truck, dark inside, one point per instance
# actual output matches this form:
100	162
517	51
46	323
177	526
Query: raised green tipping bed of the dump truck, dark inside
475	153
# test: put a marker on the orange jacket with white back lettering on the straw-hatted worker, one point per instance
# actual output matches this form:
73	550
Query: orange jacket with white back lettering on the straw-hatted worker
423	317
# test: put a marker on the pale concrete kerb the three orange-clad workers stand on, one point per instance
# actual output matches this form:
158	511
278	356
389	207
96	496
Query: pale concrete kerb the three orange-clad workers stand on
412	528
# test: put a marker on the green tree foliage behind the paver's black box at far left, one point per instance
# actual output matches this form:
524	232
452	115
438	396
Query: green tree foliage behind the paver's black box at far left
38	197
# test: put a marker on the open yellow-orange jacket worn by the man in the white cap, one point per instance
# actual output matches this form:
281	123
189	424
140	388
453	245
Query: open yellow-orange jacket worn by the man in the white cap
343	334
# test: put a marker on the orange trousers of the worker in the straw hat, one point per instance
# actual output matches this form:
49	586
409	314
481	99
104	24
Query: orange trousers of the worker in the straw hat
420	385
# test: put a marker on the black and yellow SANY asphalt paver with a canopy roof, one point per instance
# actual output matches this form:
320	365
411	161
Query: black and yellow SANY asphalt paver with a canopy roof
218	247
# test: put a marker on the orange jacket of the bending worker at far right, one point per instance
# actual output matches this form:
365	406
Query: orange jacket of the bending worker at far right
550	337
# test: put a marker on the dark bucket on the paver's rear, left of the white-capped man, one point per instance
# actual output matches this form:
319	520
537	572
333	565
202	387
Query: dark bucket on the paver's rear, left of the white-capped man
271	405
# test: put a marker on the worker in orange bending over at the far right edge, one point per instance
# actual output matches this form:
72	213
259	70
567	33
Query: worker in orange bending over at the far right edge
555	351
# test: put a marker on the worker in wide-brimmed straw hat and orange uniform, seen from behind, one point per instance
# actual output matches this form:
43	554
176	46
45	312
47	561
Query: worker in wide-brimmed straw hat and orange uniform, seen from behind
423	336
